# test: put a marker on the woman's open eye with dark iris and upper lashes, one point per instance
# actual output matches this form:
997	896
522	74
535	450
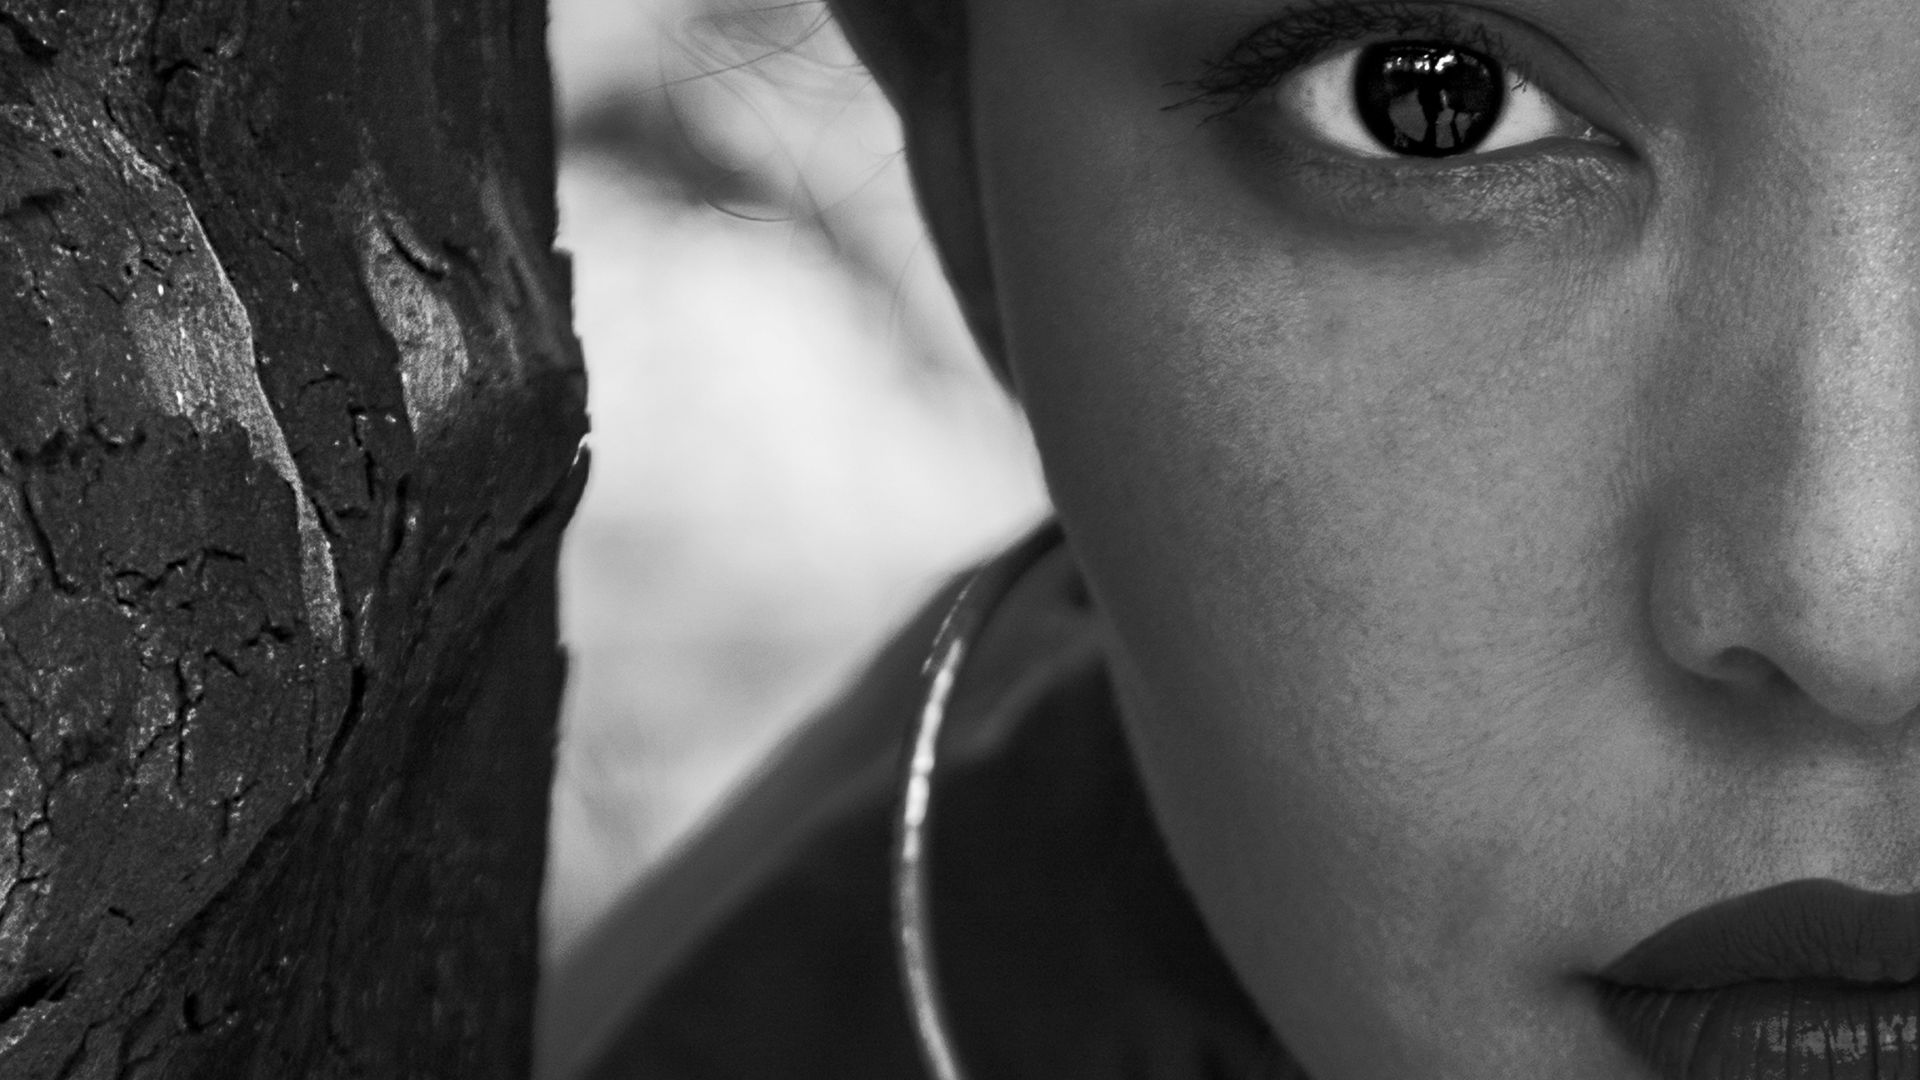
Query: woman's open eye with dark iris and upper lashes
1393	82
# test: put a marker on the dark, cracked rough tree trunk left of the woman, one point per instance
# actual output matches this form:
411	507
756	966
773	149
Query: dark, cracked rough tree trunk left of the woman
289	426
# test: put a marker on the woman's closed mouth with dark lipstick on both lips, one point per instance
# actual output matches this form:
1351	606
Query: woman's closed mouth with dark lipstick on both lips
1794	983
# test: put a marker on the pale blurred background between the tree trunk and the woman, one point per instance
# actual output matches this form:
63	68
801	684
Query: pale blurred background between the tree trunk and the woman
794	439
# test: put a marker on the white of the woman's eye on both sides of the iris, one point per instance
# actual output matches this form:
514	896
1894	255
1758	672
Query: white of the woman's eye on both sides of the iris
1322	97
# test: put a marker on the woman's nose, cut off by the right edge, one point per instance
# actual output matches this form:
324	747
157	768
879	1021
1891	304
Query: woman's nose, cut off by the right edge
1788	556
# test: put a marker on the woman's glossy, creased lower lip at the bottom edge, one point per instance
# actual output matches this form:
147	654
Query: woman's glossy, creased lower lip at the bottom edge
1773	1031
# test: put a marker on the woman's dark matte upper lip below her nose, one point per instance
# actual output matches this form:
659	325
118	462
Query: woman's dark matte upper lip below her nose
1798	931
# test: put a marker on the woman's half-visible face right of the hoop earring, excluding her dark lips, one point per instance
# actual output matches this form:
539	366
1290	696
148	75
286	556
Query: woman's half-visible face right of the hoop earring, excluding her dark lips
1506	552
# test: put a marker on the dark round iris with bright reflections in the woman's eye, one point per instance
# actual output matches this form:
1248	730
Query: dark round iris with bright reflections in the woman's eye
1428	99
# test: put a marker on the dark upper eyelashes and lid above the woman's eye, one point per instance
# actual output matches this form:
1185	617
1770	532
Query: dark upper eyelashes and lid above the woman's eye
1280	49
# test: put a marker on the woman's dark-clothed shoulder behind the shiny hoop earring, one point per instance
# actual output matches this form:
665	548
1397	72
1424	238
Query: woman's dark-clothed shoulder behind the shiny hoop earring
1067	941
